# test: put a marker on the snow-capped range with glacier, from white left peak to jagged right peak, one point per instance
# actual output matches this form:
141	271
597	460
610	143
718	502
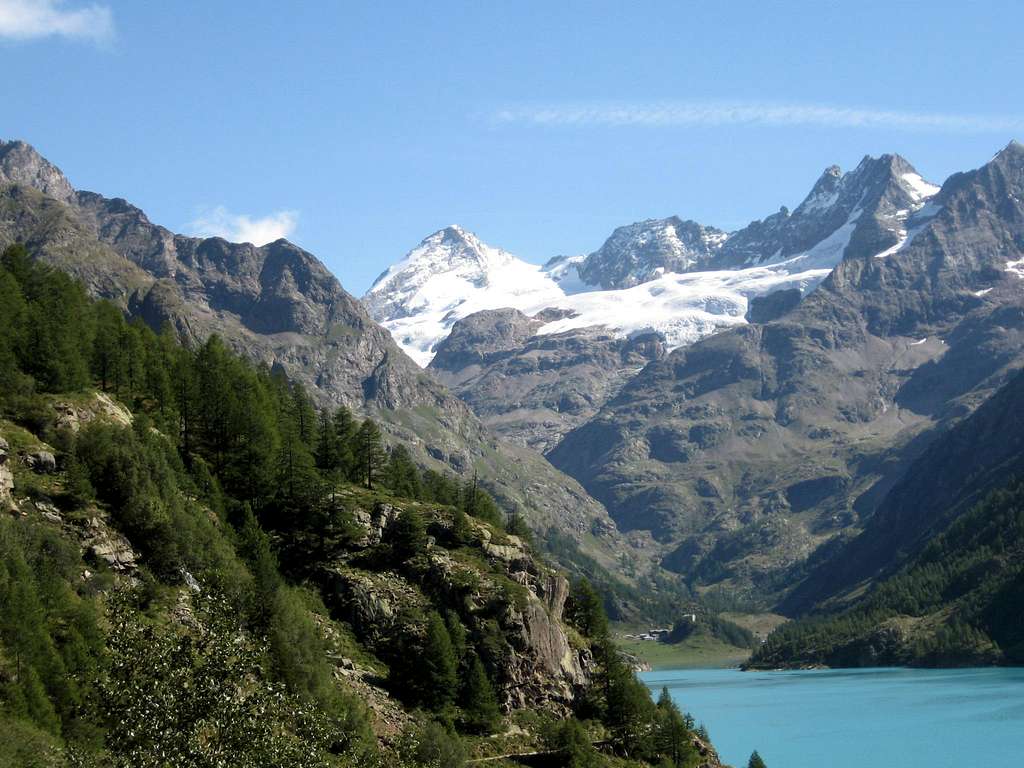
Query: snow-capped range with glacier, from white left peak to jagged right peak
671	277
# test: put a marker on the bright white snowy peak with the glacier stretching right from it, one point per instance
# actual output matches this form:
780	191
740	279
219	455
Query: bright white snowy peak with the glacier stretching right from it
419	304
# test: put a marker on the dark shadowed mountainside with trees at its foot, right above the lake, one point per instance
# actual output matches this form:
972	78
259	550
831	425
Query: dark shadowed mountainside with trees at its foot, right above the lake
935	578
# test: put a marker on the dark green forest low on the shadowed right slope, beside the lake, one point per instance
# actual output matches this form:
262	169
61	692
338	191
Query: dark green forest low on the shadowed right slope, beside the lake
959	603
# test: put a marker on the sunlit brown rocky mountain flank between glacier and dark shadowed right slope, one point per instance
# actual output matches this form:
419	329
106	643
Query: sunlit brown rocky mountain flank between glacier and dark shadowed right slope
787	432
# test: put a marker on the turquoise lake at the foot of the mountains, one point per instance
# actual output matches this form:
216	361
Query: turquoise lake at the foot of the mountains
879	718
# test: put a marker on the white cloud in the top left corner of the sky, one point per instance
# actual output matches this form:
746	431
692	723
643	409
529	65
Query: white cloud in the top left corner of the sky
26	20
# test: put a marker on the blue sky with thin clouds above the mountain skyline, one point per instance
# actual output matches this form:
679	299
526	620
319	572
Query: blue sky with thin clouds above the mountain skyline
360	129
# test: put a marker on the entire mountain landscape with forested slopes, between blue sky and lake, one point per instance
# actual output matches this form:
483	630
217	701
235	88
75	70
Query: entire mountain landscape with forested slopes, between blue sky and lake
396	529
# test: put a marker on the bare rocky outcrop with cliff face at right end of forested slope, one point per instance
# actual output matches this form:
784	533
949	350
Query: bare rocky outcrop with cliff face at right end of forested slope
502	587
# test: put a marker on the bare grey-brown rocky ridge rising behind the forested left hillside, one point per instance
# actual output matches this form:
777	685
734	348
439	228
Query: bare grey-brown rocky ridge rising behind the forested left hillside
280	307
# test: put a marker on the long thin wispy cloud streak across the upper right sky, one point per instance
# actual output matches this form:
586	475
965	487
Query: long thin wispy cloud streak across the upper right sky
749	113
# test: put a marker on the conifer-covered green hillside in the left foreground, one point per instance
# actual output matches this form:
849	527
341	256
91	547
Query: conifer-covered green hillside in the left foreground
227	643
